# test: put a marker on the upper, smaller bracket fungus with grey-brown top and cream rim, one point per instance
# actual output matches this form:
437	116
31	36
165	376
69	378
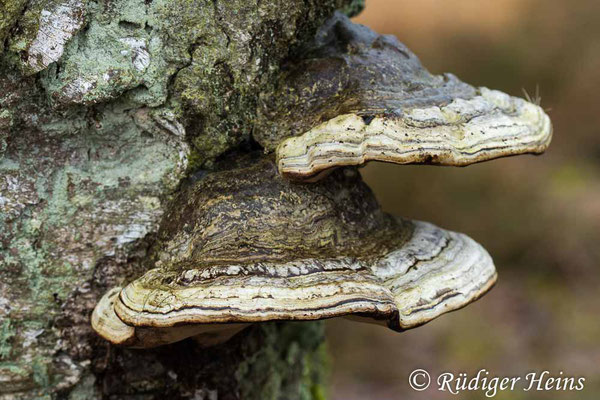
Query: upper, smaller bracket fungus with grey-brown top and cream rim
357	96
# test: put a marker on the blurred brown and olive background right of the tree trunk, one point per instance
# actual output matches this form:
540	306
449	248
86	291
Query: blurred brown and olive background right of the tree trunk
539	217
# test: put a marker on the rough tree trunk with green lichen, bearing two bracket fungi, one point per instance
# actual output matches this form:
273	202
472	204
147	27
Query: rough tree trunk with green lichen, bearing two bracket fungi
105	107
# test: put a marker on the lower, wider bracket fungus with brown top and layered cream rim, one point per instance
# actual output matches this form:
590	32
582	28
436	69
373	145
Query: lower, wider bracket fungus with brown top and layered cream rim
244	245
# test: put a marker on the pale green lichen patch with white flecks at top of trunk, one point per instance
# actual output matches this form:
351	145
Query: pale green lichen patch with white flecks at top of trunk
117	52
